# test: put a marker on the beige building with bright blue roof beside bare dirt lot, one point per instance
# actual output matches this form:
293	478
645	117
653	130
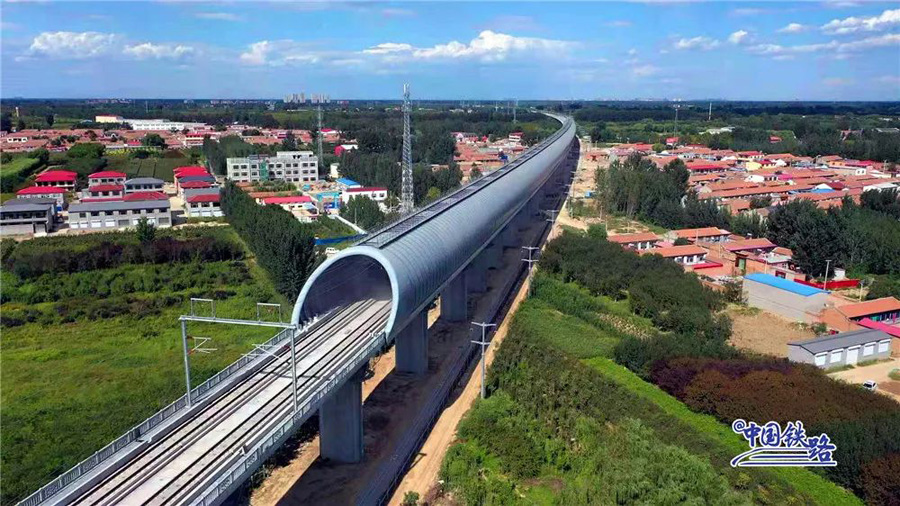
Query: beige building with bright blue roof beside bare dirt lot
792	300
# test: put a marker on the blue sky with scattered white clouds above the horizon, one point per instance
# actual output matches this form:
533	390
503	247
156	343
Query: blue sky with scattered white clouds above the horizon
828	50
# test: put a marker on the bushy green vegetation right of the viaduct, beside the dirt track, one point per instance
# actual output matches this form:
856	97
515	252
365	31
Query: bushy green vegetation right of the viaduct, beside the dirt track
566	425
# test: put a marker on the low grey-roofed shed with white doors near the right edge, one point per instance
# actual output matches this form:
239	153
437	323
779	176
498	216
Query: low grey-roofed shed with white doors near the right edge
846	348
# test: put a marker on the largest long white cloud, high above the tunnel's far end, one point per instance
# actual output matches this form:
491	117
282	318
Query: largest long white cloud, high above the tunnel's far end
488	46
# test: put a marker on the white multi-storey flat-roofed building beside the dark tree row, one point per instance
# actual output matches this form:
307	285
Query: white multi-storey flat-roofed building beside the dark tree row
289	166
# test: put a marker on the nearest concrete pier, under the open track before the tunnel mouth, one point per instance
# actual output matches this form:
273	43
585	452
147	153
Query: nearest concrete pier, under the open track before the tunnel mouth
340	422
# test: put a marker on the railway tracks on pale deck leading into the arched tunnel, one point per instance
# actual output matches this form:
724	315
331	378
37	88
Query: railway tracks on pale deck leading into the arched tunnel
174	469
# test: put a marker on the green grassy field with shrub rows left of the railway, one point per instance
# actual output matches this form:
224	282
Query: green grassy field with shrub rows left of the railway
70	388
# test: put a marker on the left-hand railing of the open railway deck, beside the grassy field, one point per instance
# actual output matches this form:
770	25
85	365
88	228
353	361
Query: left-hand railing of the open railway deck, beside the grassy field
135	433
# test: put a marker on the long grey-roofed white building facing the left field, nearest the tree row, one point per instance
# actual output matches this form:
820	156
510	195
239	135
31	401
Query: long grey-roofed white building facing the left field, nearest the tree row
119	214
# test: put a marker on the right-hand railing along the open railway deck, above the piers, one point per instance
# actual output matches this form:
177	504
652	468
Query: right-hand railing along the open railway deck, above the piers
254	458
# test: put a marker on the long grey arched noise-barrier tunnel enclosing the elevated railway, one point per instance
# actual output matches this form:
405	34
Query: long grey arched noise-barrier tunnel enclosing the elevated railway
411	261
